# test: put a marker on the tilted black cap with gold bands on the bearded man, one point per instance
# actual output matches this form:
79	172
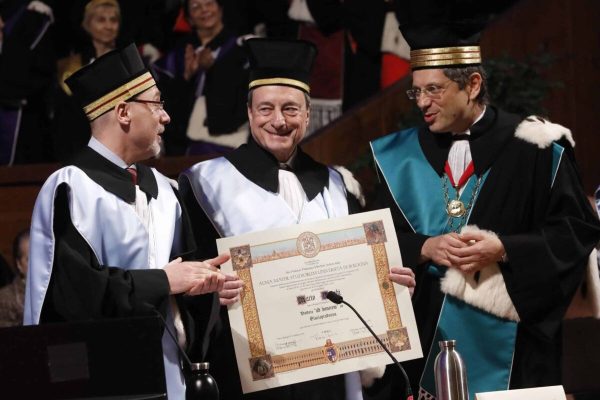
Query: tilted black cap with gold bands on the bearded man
116	76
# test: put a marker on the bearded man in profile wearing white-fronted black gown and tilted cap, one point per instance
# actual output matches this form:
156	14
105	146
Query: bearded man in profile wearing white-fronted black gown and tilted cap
108	234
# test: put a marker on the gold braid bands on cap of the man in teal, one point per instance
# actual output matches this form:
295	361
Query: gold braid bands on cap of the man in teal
444	56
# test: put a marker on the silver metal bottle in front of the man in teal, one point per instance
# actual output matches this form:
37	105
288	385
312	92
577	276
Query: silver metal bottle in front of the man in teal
450	373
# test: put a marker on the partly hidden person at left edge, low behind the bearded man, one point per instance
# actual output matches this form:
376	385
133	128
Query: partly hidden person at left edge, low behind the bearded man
12	296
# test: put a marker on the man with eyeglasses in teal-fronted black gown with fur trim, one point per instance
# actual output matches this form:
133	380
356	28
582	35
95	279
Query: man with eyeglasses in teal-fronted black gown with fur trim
489	210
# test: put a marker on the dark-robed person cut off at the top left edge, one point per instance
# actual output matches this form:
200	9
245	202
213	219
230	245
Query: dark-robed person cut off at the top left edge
26	79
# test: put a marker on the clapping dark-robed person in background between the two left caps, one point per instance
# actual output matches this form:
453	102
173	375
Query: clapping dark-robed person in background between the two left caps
206	78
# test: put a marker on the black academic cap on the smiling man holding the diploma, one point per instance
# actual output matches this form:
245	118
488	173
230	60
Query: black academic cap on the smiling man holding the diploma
280	62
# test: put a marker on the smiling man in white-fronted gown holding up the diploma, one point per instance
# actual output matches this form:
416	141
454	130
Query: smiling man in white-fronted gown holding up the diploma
267	183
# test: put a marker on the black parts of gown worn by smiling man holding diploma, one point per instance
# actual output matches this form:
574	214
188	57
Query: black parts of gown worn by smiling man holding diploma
261	168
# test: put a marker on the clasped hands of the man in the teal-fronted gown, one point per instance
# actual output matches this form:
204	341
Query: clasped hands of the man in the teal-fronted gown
468	252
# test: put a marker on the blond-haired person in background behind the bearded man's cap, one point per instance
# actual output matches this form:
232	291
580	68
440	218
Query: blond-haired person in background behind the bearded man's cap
101	23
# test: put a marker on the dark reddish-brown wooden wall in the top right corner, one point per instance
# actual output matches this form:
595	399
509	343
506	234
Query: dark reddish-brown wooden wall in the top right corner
569	30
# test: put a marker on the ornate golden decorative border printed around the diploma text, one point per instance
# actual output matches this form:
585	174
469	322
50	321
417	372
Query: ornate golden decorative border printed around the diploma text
308	245
